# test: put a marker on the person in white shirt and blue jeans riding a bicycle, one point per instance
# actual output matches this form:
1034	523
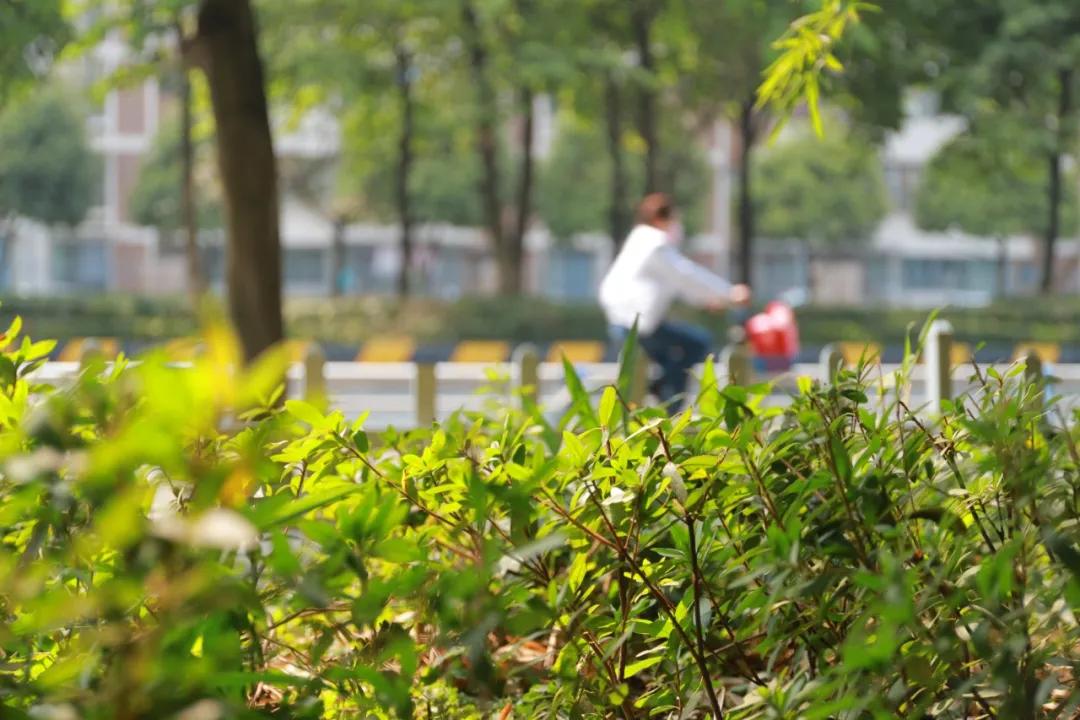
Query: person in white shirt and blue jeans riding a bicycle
649	275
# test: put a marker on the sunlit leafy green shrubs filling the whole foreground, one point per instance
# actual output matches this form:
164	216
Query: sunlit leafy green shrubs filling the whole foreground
175	547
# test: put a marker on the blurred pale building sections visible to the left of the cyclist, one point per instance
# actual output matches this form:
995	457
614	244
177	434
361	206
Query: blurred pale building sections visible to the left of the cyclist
110	253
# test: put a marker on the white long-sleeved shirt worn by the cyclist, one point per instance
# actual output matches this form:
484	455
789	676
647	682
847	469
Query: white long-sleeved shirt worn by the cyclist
649	275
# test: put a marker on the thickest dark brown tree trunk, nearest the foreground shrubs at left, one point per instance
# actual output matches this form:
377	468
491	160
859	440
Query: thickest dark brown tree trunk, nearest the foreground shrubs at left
229	50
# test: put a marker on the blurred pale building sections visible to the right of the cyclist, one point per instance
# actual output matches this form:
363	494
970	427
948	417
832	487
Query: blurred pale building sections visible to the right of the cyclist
900	265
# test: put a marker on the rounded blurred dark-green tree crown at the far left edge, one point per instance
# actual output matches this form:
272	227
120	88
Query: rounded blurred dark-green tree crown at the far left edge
48	172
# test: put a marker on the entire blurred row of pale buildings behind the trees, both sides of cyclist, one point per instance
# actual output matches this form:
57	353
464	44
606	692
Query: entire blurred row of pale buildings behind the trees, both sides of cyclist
899	266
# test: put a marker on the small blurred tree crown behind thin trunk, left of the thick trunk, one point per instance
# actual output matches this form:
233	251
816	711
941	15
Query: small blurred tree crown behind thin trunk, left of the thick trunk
157	198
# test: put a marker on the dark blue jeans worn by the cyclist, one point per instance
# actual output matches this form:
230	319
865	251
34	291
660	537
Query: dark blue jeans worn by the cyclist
677	348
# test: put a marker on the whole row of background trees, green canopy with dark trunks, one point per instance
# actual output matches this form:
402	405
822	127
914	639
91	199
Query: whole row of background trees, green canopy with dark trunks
438	102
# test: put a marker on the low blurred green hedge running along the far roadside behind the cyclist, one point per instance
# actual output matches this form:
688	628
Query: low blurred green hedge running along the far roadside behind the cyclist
354	321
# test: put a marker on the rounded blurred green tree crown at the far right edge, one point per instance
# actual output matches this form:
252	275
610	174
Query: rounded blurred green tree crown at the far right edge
991	188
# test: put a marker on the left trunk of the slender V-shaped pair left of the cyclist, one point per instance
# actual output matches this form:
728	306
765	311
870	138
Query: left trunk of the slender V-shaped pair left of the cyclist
489	151
